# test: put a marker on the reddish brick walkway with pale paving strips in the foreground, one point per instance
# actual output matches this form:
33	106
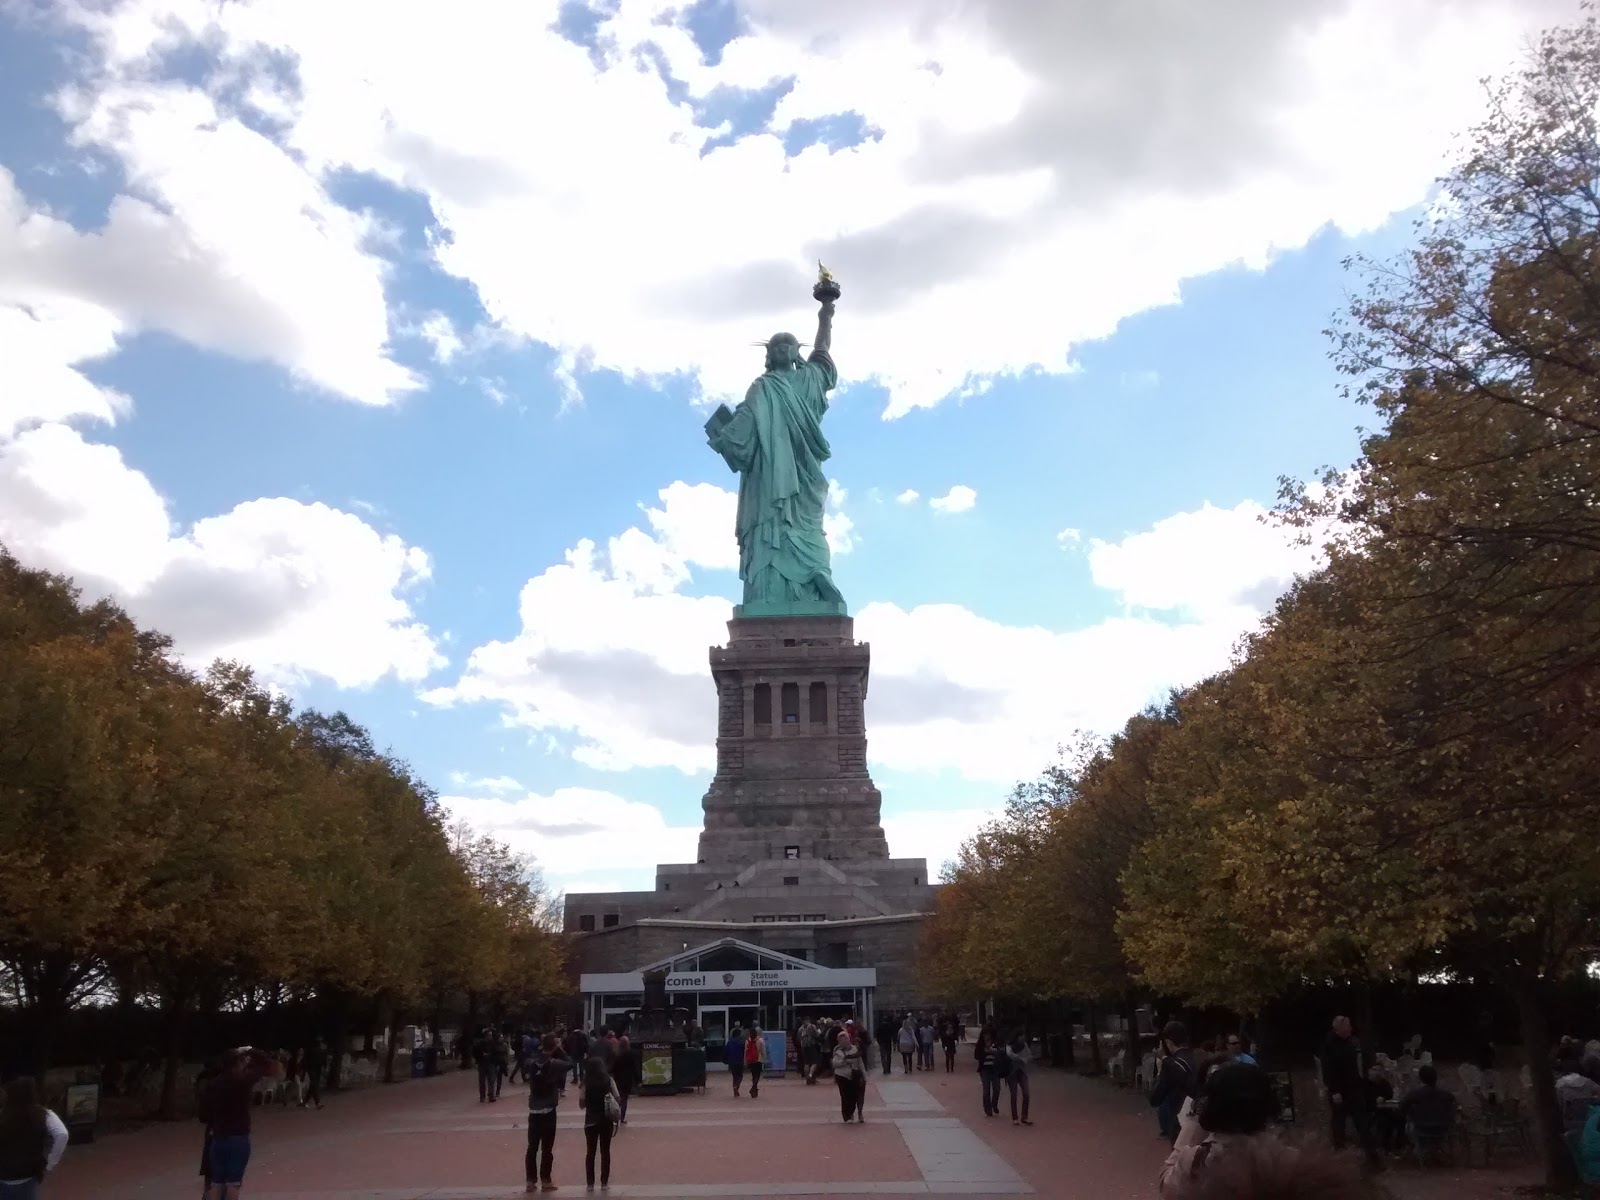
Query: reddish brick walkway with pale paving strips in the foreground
431	1140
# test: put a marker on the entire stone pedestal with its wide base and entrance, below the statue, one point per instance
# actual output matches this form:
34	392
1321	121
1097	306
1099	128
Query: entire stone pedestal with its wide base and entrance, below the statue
793	874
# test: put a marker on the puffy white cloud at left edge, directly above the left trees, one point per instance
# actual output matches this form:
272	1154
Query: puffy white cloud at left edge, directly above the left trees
294	590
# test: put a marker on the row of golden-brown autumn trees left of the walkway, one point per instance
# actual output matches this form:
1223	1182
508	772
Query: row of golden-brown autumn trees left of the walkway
191	841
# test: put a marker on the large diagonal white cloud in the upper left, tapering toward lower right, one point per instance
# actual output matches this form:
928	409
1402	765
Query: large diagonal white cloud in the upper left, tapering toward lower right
222	239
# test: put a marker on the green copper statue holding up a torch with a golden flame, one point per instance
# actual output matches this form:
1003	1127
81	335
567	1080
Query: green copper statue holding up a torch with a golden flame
775	442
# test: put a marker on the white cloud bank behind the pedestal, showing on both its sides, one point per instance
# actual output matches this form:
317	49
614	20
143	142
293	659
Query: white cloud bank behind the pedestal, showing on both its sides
612	654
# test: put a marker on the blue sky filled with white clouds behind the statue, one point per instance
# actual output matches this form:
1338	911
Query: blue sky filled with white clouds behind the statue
334	346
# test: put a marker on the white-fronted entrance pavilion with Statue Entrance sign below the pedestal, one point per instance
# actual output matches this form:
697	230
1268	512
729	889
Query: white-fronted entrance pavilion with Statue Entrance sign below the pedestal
732	983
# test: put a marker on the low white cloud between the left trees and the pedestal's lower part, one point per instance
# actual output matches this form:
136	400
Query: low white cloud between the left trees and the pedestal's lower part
578	831
